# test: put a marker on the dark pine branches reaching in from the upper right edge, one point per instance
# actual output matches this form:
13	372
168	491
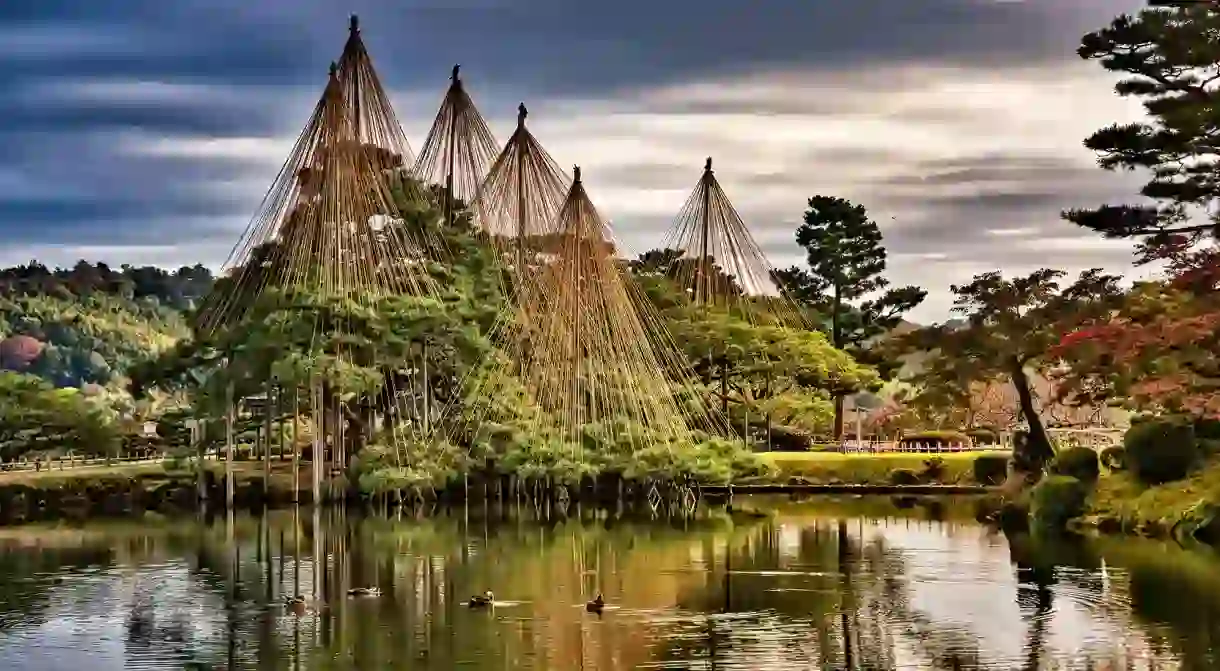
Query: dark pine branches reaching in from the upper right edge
1171	59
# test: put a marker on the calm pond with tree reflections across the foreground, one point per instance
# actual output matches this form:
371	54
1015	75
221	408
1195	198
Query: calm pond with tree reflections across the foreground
828	584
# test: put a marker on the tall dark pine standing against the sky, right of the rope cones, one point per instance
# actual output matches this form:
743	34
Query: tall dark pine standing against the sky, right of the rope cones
847	263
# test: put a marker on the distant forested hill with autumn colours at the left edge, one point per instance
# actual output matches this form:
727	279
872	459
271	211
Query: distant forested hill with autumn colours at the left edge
88	324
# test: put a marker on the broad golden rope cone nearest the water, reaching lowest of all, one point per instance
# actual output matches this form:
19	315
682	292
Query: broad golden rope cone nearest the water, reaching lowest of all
589	365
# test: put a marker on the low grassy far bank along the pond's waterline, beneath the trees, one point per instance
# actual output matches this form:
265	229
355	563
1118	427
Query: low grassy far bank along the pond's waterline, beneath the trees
157	489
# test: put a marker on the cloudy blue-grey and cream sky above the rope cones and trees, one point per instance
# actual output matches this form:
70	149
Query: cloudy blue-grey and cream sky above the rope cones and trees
147	131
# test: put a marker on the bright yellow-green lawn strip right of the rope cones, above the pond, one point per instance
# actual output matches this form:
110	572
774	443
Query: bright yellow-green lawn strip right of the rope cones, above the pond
870	469
